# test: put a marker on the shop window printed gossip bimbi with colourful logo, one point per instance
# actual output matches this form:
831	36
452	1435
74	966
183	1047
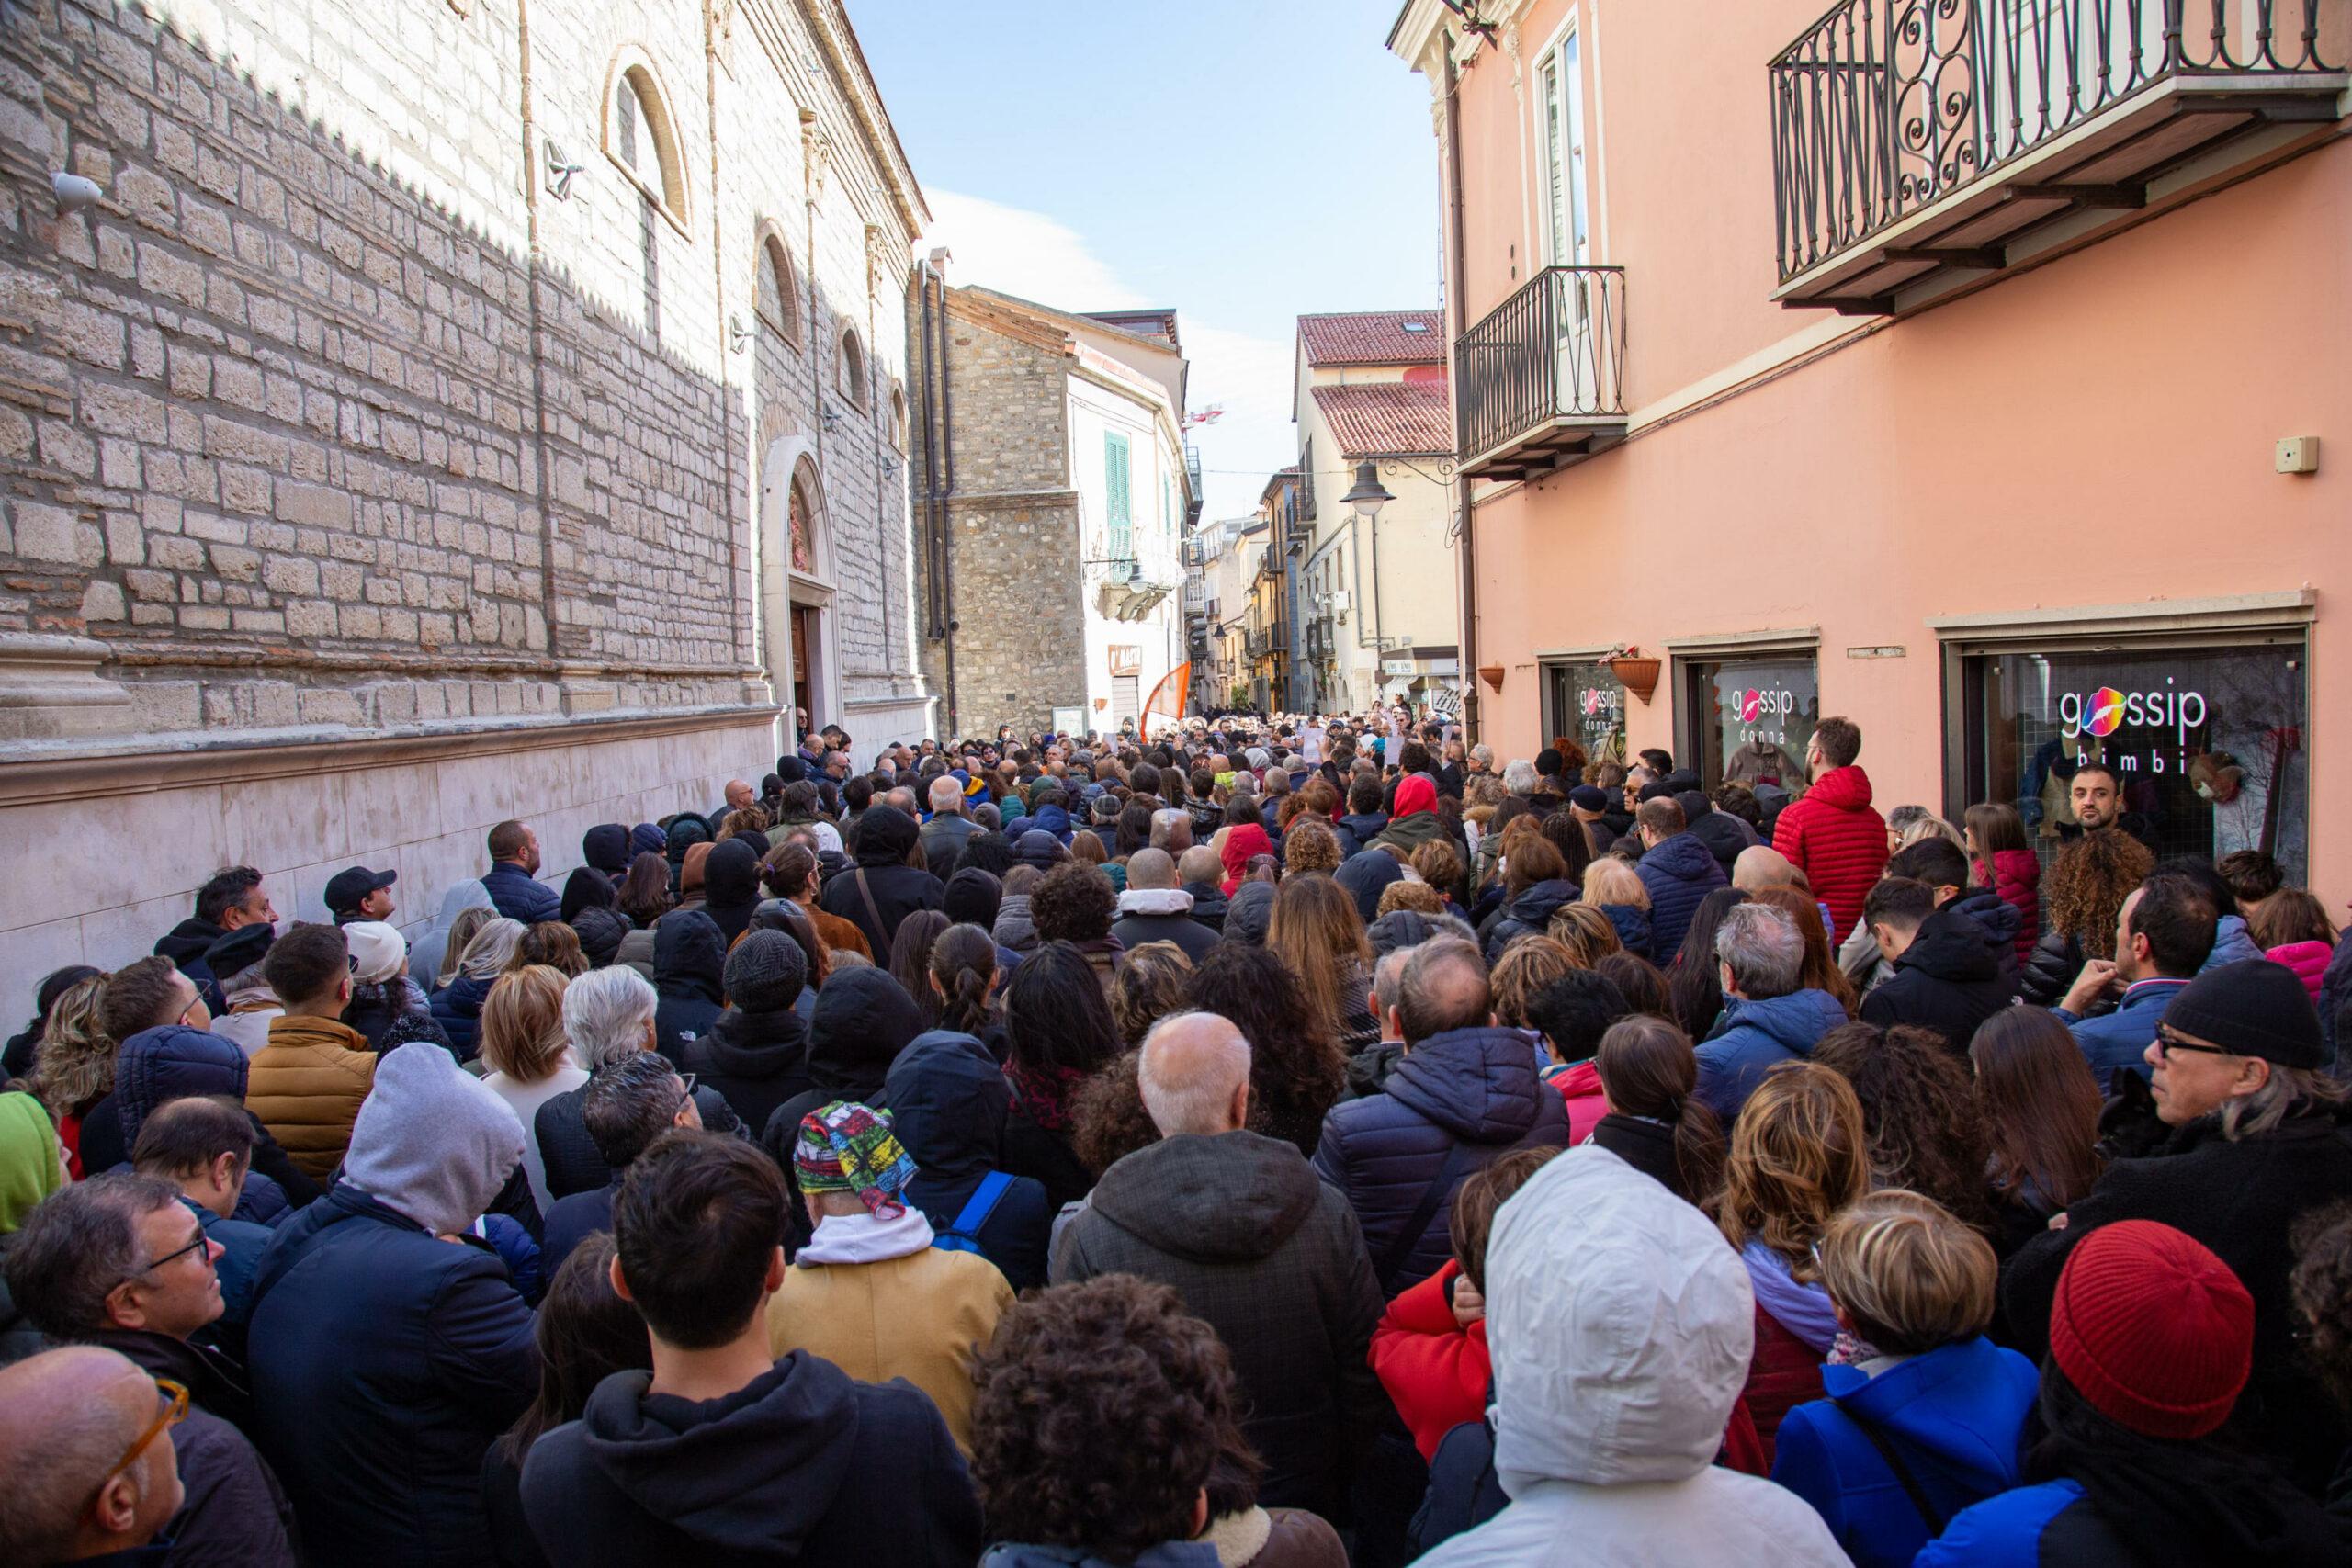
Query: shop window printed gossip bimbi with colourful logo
2207	742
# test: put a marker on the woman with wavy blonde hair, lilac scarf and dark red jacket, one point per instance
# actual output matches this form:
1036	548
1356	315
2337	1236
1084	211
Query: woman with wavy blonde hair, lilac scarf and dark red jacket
1798	1155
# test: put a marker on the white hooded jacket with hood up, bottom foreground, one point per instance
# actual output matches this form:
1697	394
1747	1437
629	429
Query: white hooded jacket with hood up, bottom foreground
1622	1327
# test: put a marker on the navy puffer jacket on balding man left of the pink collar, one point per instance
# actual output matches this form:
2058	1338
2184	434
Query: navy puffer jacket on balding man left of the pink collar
1471	1090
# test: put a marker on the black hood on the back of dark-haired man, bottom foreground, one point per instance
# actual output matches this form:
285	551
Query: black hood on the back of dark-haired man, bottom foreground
751	1475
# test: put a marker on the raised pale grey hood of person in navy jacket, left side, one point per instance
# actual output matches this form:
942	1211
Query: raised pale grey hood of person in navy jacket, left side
432	1141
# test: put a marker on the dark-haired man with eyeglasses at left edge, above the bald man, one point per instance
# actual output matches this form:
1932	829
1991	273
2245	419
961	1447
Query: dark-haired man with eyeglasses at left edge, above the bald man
121	1264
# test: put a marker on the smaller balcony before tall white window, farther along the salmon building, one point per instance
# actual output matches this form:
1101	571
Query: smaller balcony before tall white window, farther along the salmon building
1542	382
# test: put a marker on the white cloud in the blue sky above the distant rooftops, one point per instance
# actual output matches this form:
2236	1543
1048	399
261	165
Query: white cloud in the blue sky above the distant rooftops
1038	257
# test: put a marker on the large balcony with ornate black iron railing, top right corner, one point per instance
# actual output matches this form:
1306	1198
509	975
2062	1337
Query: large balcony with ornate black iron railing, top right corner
1923	147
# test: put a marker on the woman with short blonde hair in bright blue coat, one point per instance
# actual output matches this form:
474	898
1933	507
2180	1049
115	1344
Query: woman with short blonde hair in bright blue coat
1939	1409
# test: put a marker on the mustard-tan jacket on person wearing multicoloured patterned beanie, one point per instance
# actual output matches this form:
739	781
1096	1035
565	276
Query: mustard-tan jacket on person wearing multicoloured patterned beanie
921	1318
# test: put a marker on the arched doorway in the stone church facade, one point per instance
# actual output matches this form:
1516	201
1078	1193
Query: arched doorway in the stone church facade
796	591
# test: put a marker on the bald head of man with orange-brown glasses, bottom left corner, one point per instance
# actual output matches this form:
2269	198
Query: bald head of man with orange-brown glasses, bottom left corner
65	1419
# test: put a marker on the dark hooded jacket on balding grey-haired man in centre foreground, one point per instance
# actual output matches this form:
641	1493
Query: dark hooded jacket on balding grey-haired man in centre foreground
1276	1264
